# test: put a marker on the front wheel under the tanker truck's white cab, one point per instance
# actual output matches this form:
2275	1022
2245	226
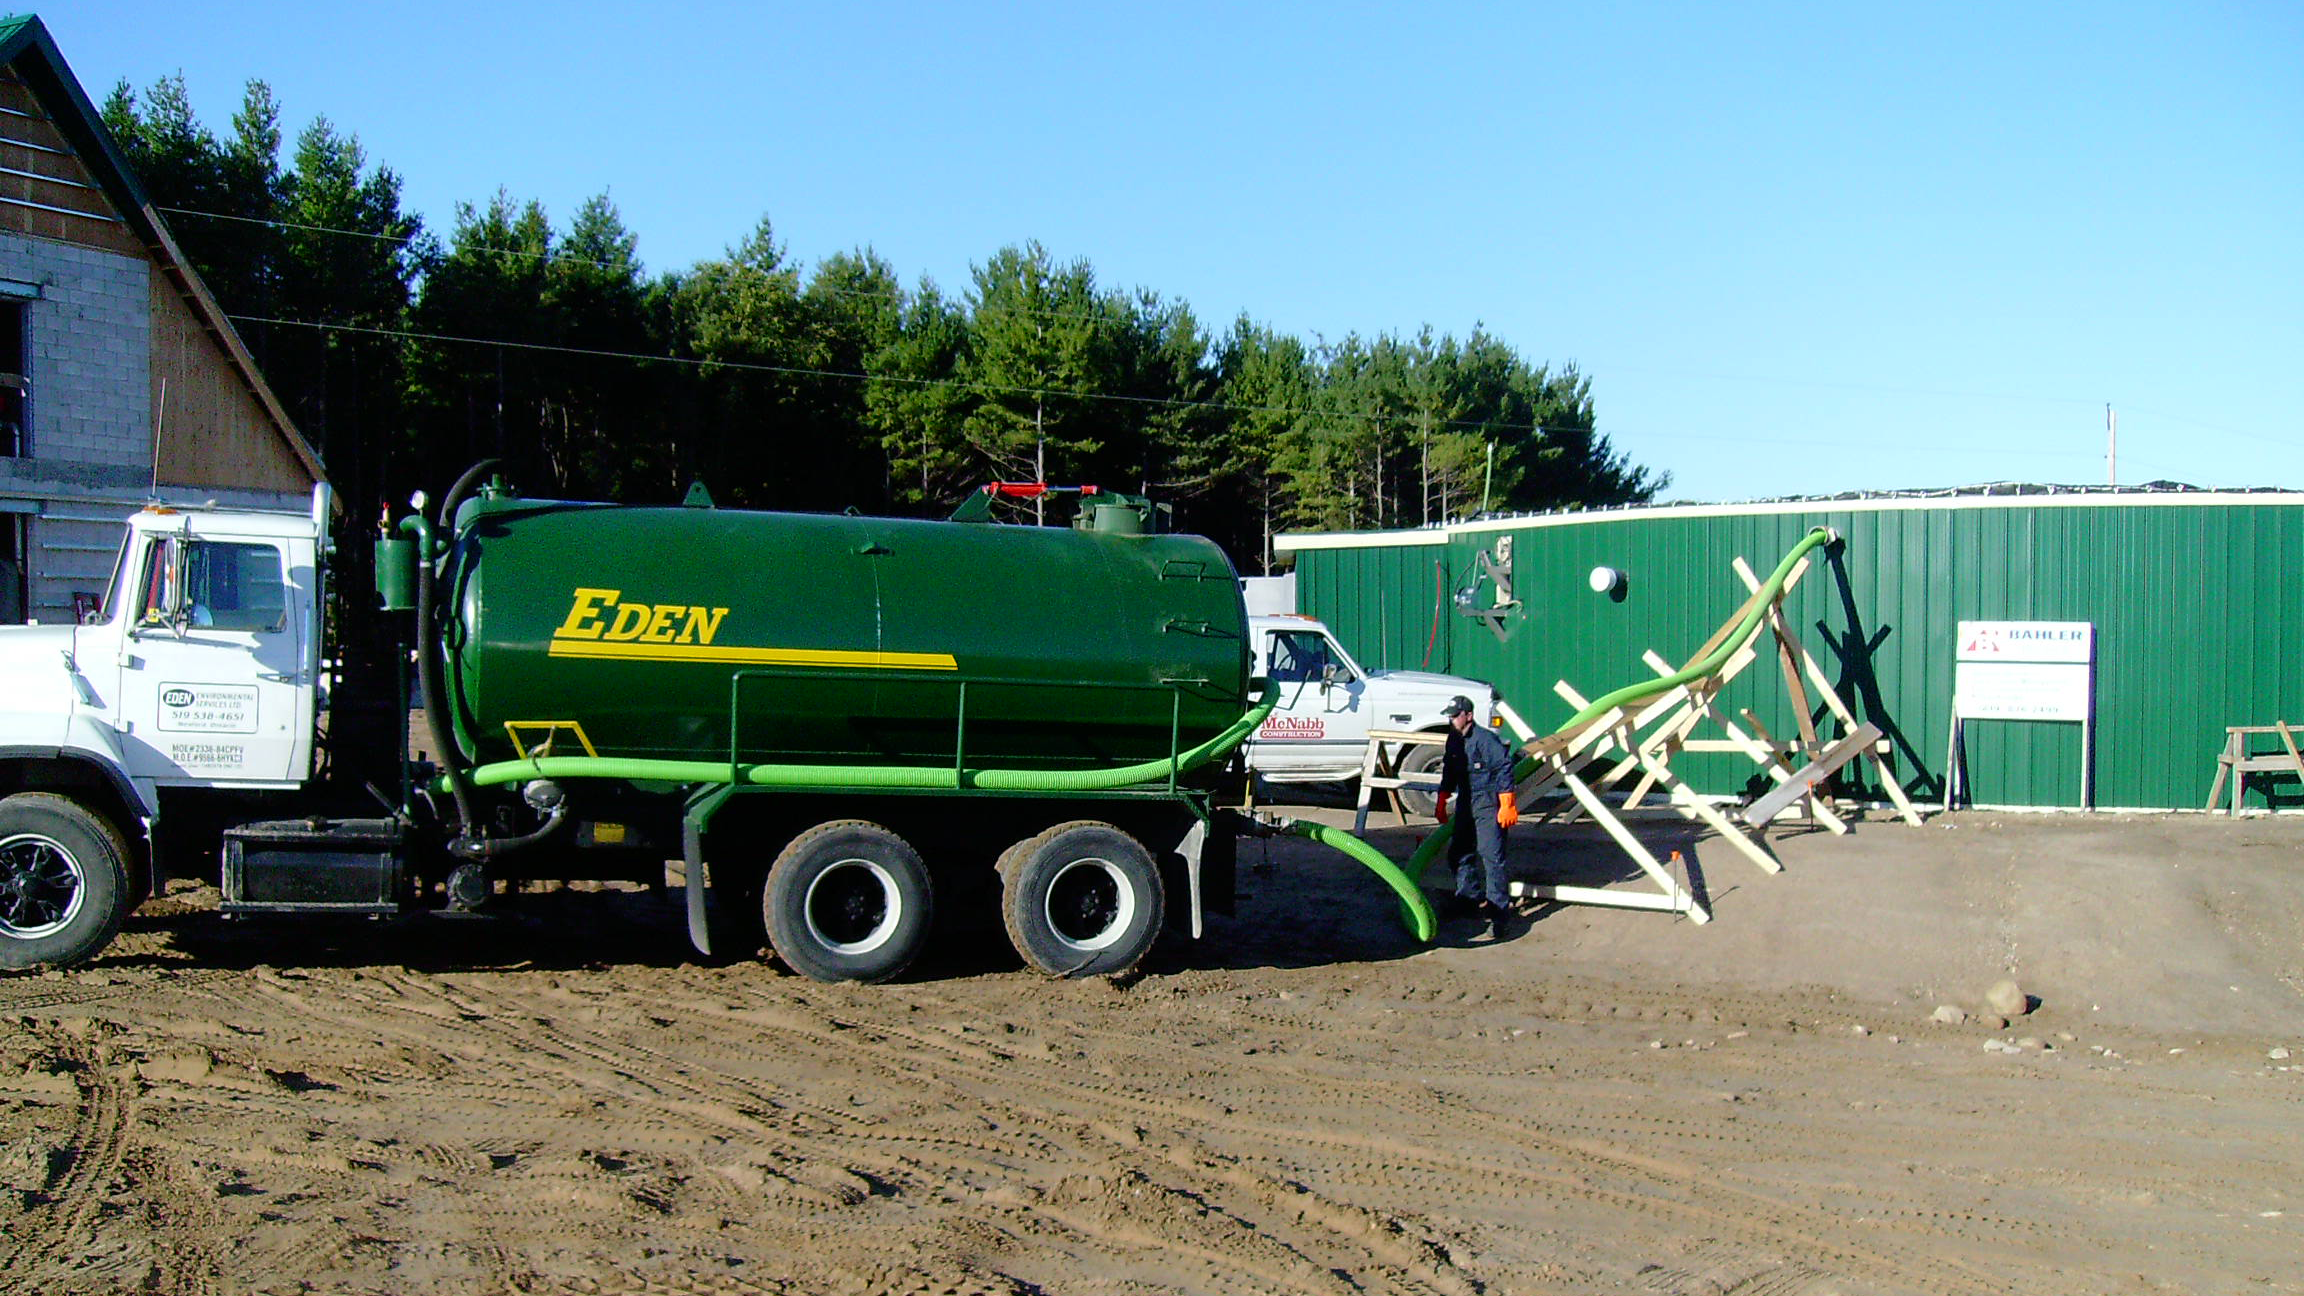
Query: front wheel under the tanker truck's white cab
63	882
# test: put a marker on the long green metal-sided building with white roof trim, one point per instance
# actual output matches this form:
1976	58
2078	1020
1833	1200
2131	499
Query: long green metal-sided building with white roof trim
2195	598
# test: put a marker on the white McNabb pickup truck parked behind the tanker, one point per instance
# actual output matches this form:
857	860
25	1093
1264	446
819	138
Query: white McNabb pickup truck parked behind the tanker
1319	732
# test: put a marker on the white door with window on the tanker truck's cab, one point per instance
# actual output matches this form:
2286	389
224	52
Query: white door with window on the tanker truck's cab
215	675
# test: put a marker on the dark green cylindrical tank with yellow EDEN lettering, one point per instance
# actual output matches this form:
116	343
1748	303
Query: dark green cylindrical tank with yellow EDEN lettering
637	633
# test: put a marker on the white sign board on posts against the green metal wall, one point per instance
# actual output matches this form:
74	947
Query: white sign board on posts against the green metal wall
2024	670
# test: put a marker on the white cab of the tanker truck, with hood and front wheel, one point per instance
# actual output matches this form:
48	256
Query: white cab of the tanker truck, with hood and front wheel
199	672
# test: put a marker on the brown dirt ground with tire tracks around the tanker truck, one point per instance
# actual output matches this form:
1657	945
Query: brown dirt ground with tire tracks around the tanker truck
1303	1103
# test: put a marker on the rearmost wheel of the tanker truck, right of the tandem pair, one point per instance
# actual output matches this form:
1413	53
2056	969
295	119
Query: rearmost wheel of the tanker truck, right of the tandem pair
1082	901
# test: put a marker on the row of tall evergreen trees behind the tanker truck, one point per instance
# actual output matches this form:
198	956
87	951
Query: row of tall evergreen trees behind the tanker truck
407	354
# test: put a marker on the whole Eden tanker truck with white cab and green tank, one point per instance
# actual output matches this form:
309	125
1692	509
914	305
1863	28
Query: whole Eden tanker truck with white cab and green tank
821	718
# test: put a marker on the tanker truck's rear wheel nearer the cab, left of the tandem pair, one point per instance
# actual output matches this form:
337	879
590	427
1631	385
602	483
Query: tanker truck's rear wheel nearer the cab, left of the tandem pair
849	901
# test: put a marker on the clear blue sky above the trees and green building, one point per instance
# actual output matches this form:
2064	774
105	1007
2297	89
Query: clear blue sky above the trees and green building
1796	248
